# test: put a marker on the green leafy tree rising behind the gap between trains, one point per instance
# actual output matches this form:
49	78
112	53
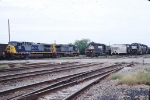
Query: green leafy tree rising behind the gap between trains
82	44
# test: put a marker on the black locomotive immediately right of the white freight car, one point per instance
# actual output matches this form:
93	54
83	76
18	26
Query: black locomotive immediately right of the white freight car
136	49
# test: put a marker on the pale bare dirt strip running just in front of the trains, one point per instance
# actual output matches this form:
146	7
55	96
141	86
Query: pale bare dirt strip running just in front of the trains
111	59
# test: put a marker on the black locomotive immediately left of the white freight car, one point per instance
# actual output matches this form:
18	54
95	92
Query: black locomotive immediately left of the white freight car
97	49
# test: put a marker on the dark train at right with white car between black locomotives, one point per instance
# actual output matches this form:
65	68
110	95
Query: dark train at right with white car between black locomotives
97	49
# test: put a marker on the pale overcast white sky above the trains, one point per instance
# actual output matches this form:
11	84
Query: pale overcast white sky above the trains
64	21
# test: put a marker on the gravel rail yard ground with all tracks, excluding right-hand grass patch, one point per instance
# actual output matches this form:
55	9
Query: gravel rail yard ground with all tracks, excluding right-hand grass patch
78	78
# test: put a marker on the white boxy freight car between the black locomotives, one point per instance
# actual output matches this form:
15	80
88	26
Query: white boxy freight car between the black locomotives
120	49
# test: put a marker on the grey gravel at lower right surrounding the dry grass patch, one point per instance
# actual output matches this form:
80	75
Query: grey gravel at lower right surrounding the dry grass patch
110	90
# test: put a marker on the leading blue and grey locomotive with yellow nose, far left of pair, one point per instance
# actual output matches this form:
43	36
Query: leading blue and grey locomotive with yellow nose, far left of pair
18	50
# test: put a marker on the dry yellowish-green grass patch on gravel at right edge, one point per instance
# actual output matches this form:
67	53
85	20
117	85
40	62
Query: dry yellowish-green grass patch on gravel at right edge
141	77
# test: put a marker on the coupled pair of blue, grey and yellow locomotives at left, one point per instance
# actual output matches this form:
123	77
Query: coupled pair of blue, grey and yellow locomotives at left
18	50
